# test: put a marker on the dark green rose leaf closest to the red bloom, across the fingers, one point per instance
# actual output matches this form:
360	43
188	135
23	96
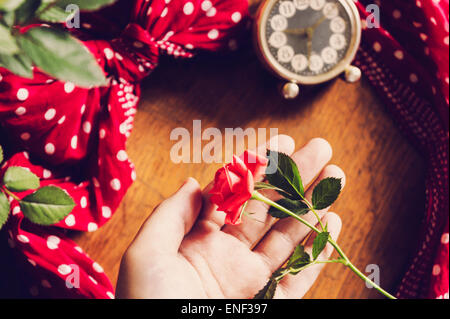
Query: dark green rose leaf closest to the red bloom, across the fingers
287	176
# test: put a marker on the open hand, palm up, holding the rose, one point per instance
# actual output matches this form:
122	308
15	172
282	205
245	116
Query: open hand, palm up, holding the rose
184	250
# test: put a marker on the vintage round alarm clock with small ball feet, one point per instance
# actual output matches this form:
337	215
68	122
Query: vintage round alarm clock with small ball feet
308	42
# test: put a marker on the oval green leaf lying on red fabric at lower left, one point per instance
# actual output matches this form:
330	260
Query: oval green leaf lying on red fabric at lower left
47	206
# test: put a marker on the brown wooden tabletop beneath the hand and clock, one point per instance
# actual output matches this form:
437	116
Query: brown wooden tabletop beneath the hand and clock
382	203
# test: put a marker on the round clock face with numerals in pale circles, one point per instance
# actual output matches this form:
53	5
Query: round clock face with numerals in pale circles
307	38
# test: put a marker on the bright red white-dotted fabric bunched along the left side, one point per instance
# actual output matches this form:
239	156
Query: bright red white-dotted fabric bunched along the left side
75	137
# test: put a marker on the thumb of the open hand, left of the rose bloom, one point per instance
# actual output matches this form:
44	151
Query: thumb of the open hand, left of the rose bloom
166	227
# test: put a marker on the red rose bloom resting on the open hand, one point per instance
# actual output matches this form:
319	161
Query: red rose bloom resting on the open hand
234	184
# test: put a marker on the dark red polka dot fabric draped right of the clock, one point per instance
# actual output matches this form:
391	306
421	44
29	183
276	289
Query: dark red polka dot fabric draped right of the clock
406	59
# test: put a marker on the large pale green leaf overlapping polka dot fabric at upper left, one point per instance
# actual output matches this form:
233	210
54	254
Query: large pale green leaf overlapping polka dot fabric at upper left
62	56
